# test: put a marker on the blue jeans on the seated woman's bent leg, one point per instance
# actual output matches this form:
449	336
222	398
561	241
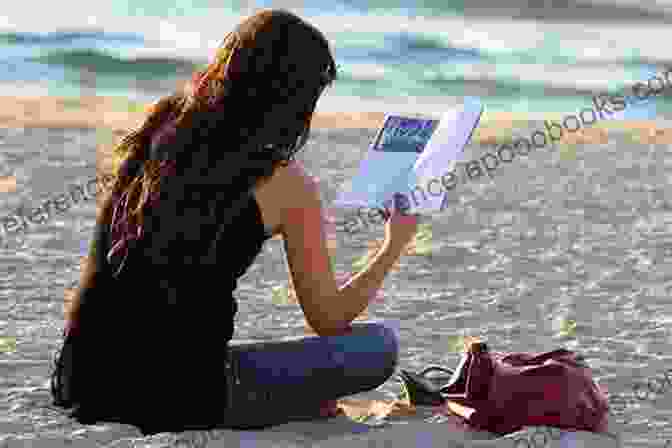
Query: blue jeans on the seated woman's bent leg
280	381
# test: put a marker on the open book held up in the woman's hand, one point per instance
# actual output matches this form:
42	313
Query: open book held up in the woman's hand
407	156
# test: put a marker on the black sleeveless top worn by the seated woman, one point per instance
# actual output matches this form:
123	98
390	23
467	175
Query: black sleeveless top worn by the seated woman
157	335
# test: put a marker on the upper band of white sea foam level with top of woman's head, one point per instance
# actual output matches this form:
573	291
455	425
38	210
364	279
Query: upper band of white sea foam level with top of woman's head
197	36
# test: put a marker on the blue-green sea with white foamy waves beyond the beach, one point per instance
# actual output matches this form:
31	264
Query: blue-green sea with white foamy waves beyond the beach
521	56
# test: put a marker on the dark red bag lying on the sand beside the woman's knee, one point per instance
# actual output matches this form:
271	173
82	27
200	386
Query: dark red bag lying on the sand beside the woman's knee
502	392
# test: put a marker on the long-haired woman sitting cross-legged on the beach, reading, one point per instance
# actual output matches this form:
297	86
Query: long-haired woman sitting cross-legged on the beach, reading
200	186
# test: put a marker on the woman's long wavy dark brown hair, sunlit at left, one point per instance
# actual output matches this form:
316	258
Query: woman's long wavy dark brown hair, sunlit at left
249	111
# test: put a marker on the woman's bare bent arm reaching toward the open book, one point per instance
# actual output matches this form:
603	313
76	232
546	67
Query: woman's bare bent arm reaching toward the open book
328	309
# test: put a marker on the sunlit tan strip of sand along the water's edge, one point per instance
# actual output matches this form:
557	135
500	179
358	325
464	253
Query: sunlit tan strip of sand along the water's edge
119	115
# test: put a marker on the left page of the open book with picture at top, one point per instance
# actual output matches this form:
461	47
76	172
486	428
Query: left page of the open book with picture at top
386	165
